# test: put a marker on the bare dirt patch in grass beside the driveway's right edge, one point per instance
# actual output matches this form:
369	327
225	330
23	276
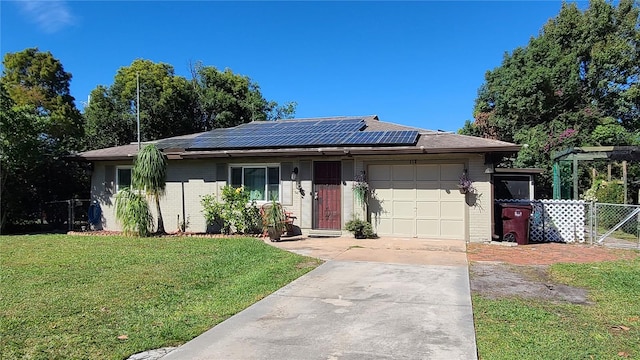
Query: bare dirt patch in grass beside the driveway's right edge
499	280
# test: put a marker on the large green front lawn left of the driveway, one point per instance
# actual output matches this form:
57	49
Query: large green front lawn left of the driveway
65	297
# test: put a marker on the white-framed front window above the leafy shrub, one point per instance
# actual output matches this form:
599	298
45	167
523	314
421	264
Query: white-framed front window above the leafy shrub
261	181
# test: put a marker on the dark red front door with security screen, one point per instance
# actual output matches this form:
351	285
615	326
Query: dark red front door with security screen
326	195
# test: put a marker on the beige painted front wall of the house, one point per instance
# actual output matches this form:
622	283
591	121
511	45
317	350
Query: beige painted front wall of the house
208	176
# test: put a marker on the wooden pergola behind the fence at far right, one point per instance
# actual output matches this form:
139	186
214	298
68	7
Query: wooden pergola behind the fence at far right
590	153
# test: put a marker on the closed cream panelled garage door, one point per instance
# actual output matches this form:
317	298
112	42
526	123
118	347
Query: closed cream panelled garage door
420	200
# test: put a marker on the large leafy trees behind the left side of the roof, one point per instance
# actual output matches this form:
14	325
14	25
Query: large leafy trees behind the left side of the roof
171	105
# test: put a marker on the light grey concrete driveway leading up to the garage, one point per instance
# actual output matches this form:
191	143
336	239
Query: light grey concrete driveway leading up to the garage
372	299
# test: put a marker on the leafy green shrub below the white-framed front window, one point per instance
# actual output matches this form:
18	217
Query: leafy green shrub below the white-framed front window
235	214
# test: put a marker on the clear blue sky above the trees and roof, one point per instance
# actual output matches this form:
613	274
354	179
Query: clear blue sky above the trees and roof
411	63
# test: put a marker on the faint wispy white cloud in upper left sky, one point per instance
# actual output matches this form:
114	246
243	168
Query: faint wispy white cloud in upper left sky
50	16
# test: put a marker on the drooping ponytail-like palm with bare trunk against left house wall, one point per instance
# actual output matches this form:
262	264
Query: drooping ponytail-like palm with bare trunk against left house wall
149	173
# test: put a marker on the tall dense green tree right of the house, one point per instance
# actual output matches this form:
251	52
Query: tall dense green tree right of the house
575	84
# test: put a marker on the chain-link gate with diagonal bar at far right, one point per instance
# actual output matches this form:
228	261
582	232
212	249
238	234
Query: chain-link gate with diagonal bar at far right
615	224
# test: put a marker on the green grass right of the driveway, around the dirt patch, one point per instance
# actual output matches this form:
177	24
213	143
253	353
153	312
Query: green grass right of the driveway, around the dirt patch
537	329
